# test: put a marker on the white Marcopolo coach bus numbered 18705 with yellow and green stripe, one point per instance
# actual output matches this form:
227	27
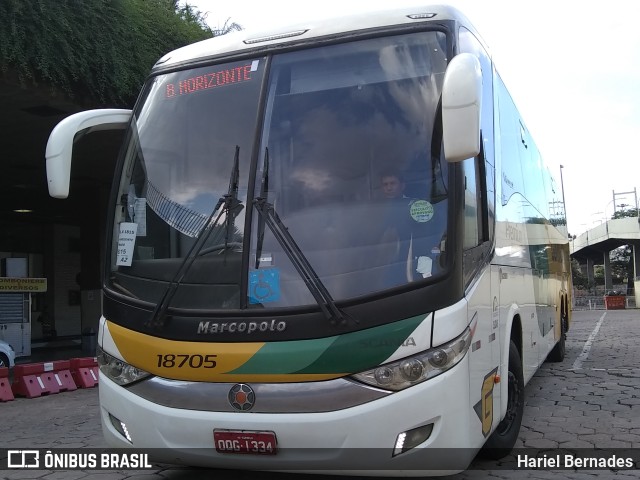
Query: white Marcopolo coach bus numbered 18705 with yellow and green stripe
267	307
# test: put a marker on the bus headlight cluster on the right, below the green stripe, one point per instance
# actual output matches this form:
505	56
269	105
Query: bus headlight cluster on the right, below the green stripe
417	368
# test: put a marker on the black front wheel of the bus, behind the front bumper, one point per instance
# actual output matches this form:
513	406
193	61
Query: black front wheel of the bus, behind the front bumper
505	436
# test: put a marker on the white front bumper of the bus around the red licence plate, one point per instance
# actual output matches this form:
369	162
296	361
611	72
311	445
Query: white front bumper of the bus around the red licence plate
355	441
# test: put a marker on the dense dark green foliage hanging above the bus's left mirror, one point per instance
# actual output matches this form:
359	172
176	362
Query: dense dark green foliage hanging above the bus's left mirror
97	53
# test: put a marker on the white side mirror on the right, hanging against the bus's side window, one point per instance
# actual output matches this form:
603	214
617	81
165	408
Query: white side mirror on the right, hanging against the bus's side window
461	107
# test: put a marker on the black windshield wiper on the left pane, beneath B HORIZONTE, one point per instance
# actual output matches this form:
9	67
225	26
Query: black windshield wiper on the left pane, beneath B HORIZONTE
231	206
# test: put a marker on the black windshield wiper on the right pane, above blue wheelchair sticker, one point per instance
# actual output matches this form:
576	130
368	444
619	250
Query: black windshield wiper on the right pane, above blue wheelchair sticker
270	217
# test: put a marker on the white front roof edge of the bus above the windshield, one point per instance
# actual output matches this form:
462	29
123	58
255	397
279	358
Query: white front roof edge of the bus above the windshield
256	40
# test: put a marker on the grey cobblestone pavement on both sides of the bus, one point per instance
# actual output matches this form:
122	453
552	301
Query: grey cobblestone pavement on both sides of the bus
592	399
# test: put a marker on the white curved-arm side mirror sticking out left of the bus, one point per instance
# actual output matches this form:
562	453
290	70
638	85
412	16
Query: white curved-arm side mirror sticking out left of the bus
60	145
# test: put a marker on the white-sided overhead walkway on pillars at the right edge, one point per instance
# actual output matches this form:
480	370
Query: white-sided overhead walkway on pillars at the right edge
594	246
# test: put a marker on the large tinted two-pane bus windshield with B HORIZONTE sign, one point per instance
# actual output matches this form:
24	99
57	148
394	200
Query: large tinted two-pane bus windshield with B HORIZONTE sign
345	146
